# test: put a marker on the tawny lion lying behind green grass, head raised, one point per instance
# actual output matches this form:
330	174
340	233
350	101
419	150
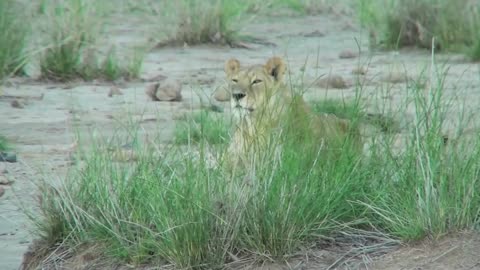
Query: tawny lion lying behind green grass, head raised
265	108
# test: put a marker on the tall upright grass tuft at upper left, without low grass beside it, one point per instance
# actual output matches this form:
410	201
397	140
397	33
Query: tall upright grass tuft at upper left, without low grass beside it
73	29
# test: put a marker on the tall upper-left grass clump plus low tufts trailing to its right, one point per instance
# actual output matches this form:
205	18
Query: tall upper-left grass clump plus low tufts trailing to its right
73	29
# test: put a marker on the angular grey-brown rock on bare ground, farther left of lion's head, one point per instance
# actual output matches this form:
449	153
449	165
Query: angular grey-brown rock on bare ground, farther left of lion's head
168	90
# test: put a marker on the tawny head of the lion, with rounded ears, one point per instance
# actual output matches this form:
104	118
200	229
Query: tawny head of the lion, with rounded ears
254	87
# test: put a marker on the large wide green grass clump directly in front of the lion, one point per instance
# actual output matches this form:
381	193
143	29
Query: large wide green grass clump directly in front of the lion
176	208
